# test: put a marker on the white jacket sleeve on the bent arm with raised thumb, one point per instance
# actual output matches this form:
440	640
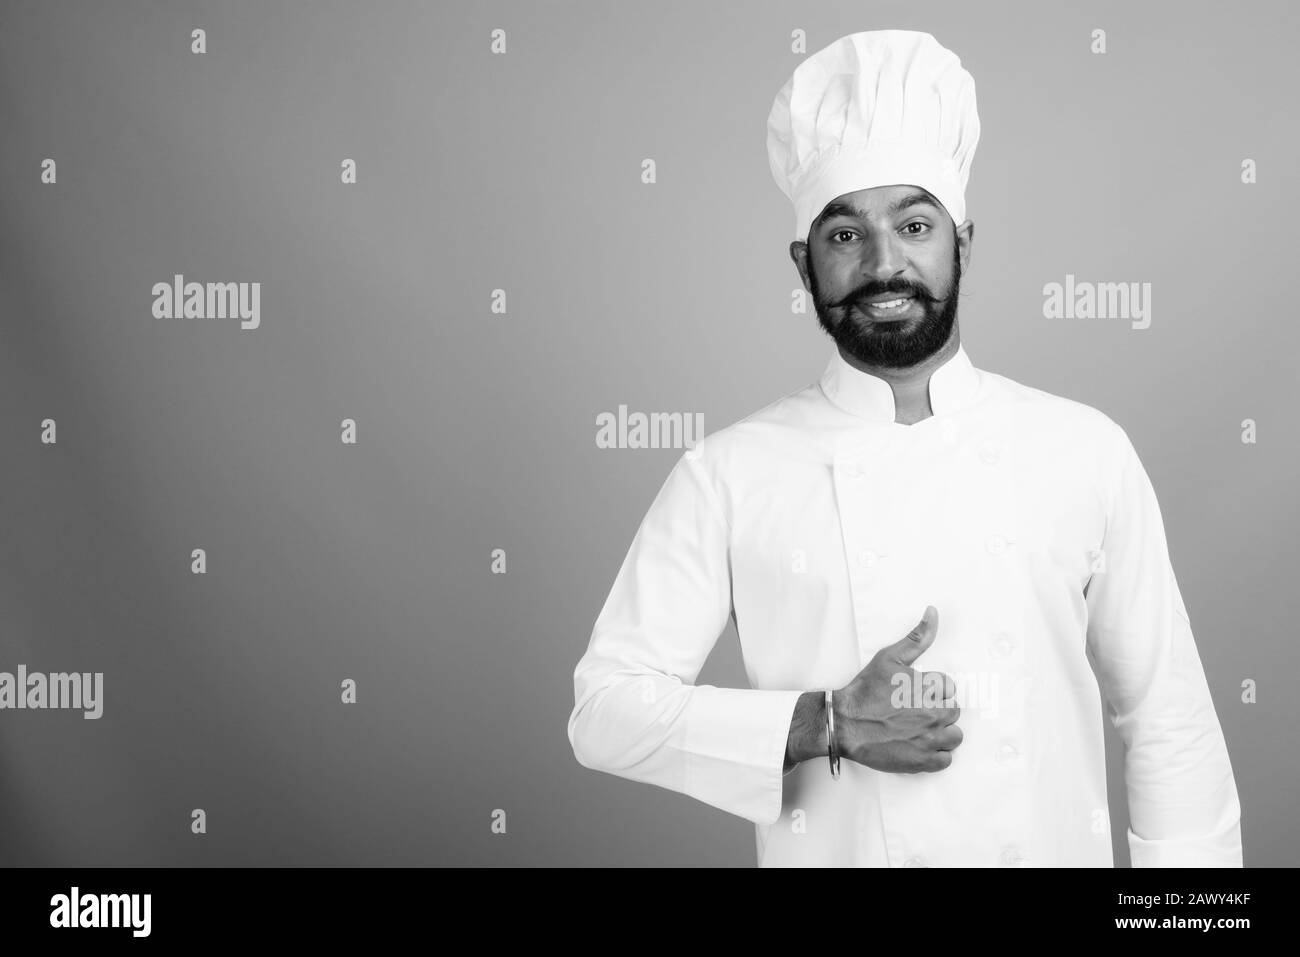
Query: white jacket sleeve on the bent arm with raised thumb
638	712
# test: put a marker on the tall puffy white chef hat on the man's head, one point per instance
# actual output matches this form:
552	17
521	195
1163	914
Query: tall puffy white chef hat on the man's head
878	109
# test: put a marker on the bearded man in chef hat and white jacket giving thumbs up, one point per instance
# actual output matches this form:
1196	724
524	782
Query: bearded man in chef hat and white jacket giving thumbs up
921	557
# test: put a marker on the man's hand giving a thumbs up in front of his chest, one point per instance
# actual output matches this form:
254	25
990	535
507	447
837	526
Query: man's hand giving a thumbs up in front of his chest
873	730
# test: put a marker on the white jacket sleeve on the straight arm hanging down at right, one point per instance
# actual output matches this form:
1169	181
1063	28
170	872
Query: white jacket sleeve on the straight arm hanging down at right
1182	795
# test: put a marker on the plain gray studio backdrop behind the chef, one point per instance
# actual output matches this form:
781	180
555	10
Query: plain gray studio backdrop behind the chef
478	431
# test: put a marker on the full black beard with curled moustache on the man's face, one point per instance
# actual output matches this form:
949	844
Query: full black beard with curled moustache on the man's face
896	345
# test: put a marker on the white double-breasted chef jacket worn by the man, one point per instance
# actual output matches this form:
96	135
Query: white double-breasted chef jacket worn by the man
824	529
